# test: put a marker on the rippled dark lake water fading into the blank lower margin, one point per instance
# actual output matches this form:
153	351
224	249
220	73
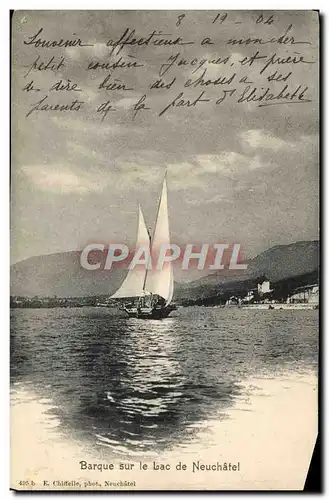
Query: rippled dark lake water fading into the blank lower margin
130	387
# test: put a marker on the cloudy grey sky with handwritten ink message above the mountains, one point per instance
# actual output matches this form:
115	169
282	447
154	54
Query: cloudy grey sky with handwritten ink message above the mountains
236	172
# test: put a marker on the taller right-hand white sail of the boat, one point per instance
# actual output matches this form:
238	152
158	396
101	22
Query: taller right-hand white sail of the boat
161	282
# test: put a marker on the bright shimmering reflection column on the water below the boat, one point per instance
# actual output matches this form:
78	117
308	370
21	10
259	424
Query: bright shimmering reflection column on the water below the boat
147	406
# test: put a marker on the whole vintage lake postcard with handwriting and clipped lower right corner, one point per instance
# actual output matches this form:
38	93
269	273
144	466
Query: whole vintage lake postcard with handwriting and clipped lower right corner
164	294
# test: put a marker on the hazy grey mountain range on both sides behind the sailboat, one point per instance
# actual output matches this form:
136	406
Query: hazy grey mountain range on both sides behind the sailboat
61	274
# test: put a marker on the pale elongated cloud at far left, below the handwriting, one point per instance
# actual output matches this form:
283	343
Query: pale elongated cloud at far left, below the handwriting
60	179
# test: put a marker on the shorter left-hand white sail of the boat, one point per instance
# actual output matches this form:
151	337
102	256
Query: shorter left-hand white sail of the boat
133	285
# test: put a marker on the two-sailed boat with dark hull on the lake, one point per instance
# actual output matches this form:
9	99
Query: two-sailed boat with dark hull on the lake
146	292
